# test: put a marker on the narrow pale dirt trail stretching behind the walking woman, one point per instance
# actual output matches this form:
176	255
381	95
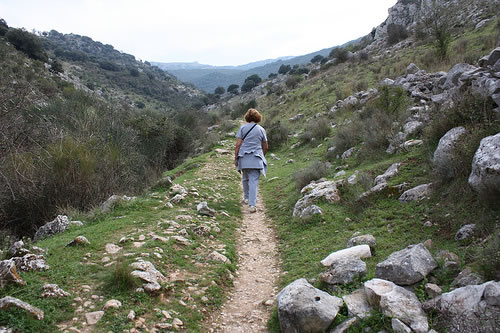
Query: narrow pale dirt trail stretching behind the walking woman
250	304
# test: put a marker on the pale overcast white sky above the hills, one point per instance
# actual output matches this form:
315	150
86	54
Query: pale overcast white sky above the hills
214	32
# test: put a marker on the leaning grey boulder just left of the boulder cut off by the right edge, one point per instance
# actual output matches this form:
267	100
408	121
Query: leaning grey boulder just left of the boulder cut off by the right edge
444	153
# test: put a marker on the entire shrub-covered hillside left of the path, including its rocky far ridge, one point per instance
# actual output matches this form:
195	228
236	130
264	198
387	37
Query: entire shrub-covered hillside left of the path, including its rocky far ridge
70	103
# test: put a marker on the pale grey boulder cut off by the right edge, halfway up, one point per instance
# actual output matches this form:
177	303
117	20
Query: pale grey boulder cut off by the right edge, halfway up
485	175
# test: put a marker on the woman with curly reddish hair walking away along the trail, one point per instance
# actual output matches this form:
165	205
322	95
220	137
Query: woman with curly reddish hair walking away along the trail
251	147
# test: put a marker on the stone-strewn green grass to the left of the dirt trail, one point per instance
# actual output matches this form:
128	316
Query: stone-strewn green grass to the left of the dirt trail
216	182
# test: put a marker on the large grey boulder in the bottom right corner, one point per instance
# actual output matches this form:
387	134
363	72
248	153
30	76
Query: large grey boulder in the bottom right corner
468	309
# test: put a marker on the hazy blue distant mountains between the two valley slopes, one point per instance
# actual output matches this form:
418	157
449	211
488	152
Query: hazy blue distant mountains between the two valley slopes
208	77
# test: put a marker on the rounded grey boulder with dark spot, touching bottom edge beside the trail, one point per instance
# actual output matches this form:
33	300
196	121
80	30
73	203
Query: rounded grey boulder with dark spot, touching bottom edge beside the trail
303	308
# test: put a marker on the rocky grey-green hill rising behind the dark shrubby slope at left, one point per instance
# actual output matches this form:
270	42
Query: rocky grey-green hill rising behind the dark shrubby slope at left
112	73
